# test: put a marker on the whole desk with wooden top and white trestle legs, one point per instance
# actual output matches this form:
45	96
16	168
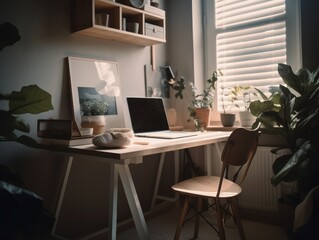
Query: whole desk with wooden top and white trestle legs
119	159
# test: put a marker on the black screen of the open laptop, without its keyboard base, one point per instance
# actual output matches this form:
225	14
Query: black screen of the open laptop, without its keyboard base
147	114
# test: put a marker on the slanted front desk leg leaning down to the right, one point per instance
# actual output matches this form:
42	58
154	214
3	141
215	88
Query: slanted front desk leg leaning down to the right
133	201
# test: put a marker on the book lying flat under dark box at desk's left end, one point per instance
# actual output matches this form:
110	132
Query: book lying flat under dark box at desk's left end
74	141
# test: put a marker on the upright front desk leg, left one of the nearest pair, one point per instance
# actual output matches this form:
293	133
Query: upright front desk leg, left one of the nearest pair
113	202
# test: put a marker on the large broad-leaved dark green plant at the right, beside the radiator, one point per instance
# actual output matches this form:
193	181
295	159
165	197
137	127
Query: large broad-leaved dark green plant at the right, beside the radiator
293	113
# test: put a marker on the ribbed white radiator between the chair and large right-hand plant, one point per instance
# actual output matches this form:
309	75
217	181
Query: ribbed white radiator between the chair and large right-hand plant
258	192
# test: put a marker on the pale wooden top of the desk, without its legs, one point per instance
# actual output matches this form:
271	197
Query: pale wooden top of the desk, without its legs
154	146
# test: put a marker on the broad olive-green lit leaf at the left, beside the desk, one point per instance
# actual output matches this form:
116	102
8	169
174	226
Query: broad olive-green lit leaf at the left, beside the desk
34	101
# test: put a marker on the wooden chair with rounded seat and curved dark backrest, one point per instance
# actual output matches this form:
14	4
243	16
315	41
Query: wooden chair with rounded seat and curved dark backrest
239	151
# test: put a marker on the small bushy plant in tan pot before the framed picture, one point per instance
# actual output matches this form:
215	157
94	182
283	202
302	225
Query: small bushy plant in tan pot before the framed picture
93	112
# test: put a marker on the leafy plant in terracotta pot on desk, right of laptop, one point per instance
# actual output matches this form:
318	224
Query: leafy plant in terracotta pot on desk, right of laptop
202	103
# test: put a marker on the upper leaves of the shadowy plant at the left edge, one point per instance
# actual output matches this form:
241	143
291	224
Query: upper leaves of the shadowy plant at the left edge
30	99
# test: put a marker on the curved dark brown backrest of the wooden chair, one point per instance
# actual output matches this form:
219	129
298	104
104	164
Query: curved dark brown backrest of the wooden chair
240	148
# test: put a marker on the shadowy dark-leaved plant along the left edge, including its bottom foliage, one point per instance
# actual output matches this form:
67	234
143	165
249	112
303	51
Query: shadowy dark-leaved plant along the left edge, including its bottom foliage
29	100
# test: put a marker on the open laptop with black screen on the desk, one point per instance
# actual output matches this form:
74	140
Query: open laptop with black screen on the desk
149	119
